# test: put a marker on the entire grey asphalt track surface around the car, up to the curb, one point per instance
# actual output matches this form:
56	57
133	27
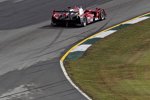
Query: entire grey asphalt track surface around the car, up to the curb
30	48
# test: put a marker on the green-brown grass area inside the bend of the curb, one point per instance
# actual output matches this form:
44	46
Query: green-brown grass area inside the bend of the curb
117	67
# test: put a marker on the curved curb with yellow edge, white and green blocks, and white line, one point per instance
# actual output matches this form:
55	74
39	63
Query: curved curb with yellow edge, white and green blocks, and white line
79	49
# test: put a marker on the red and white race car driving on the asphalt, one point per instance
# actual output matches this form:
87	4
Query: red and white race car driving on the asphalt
77	16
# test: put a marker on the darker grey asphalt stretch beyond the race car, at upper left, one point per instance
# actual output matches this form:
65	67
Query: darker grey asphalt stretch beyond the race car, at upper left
28	12
